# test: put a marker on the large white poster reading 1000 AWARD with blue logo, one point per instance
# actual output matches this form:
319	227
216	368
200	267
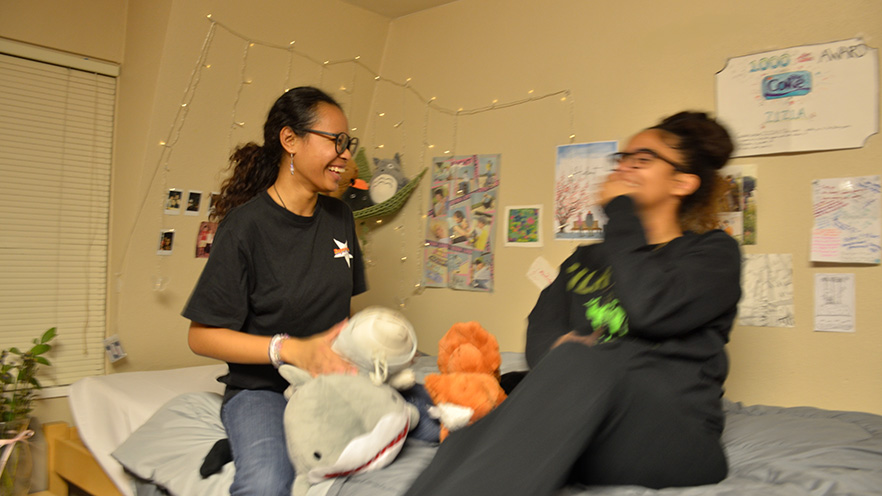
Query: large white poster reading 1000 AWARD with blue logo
814	97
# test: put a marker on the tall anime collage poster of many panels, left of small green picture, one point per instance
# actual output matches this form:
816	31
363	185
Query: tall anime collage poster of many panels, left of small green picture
461	222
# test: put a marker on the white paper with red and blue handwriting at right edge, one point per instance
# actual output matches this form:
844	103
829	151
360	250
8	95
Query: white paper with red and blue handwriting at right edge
847	226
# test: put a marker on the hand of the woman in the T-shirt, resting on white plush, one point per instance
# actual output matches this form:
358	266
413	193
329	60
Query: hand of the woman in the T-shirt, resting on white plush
314	354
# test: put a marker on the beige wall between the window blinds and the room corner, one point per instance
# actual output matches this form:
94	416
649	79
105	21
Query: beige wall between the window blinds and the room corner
160	74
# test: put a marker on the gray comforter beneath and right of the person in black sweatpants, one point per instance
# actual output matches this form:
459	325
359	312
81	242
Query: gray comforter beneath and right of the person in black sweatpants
772	451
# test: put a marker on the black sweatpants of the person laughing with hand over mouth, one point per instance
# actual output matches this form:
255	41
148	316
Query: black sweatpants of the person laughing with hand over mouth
581	415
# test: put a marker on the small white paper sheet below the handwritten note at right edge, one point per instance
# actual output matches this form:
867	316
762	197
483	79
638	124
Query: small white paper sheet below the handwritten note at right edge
834	302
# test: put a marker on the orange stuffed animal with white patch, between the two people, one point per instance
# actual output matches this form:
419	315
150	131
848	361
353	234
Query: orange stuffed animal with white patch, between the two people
468	386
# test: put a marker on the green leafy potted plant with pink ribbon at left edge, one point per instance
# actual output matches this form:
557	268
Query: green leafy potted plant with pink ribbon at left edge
18	384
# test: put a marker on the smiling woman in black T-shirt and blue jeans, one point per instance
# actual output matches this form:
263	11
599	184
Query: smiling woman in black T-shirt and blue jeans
284	265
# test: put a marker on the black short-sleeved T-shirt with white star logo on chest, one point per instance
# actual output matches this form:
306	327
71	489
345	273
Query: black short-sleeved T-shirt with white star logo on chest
272	271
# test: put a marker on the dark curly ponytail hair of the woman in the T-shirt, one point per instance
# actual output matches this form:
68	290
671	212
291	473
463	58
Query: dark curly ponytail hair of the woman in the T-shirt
256	167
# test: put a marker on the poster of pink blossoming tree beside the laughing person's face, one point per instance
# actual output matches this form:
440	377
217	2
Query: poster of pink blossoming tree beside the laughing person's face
579	174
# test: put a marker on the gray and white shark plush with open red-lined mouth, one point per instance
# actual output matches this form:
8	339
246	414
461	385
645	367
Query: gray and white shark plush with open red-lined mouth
338	425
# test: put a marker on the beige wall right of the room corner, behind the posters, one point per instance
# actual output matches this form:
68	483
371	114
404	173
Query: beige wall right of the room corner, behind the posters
627	63
